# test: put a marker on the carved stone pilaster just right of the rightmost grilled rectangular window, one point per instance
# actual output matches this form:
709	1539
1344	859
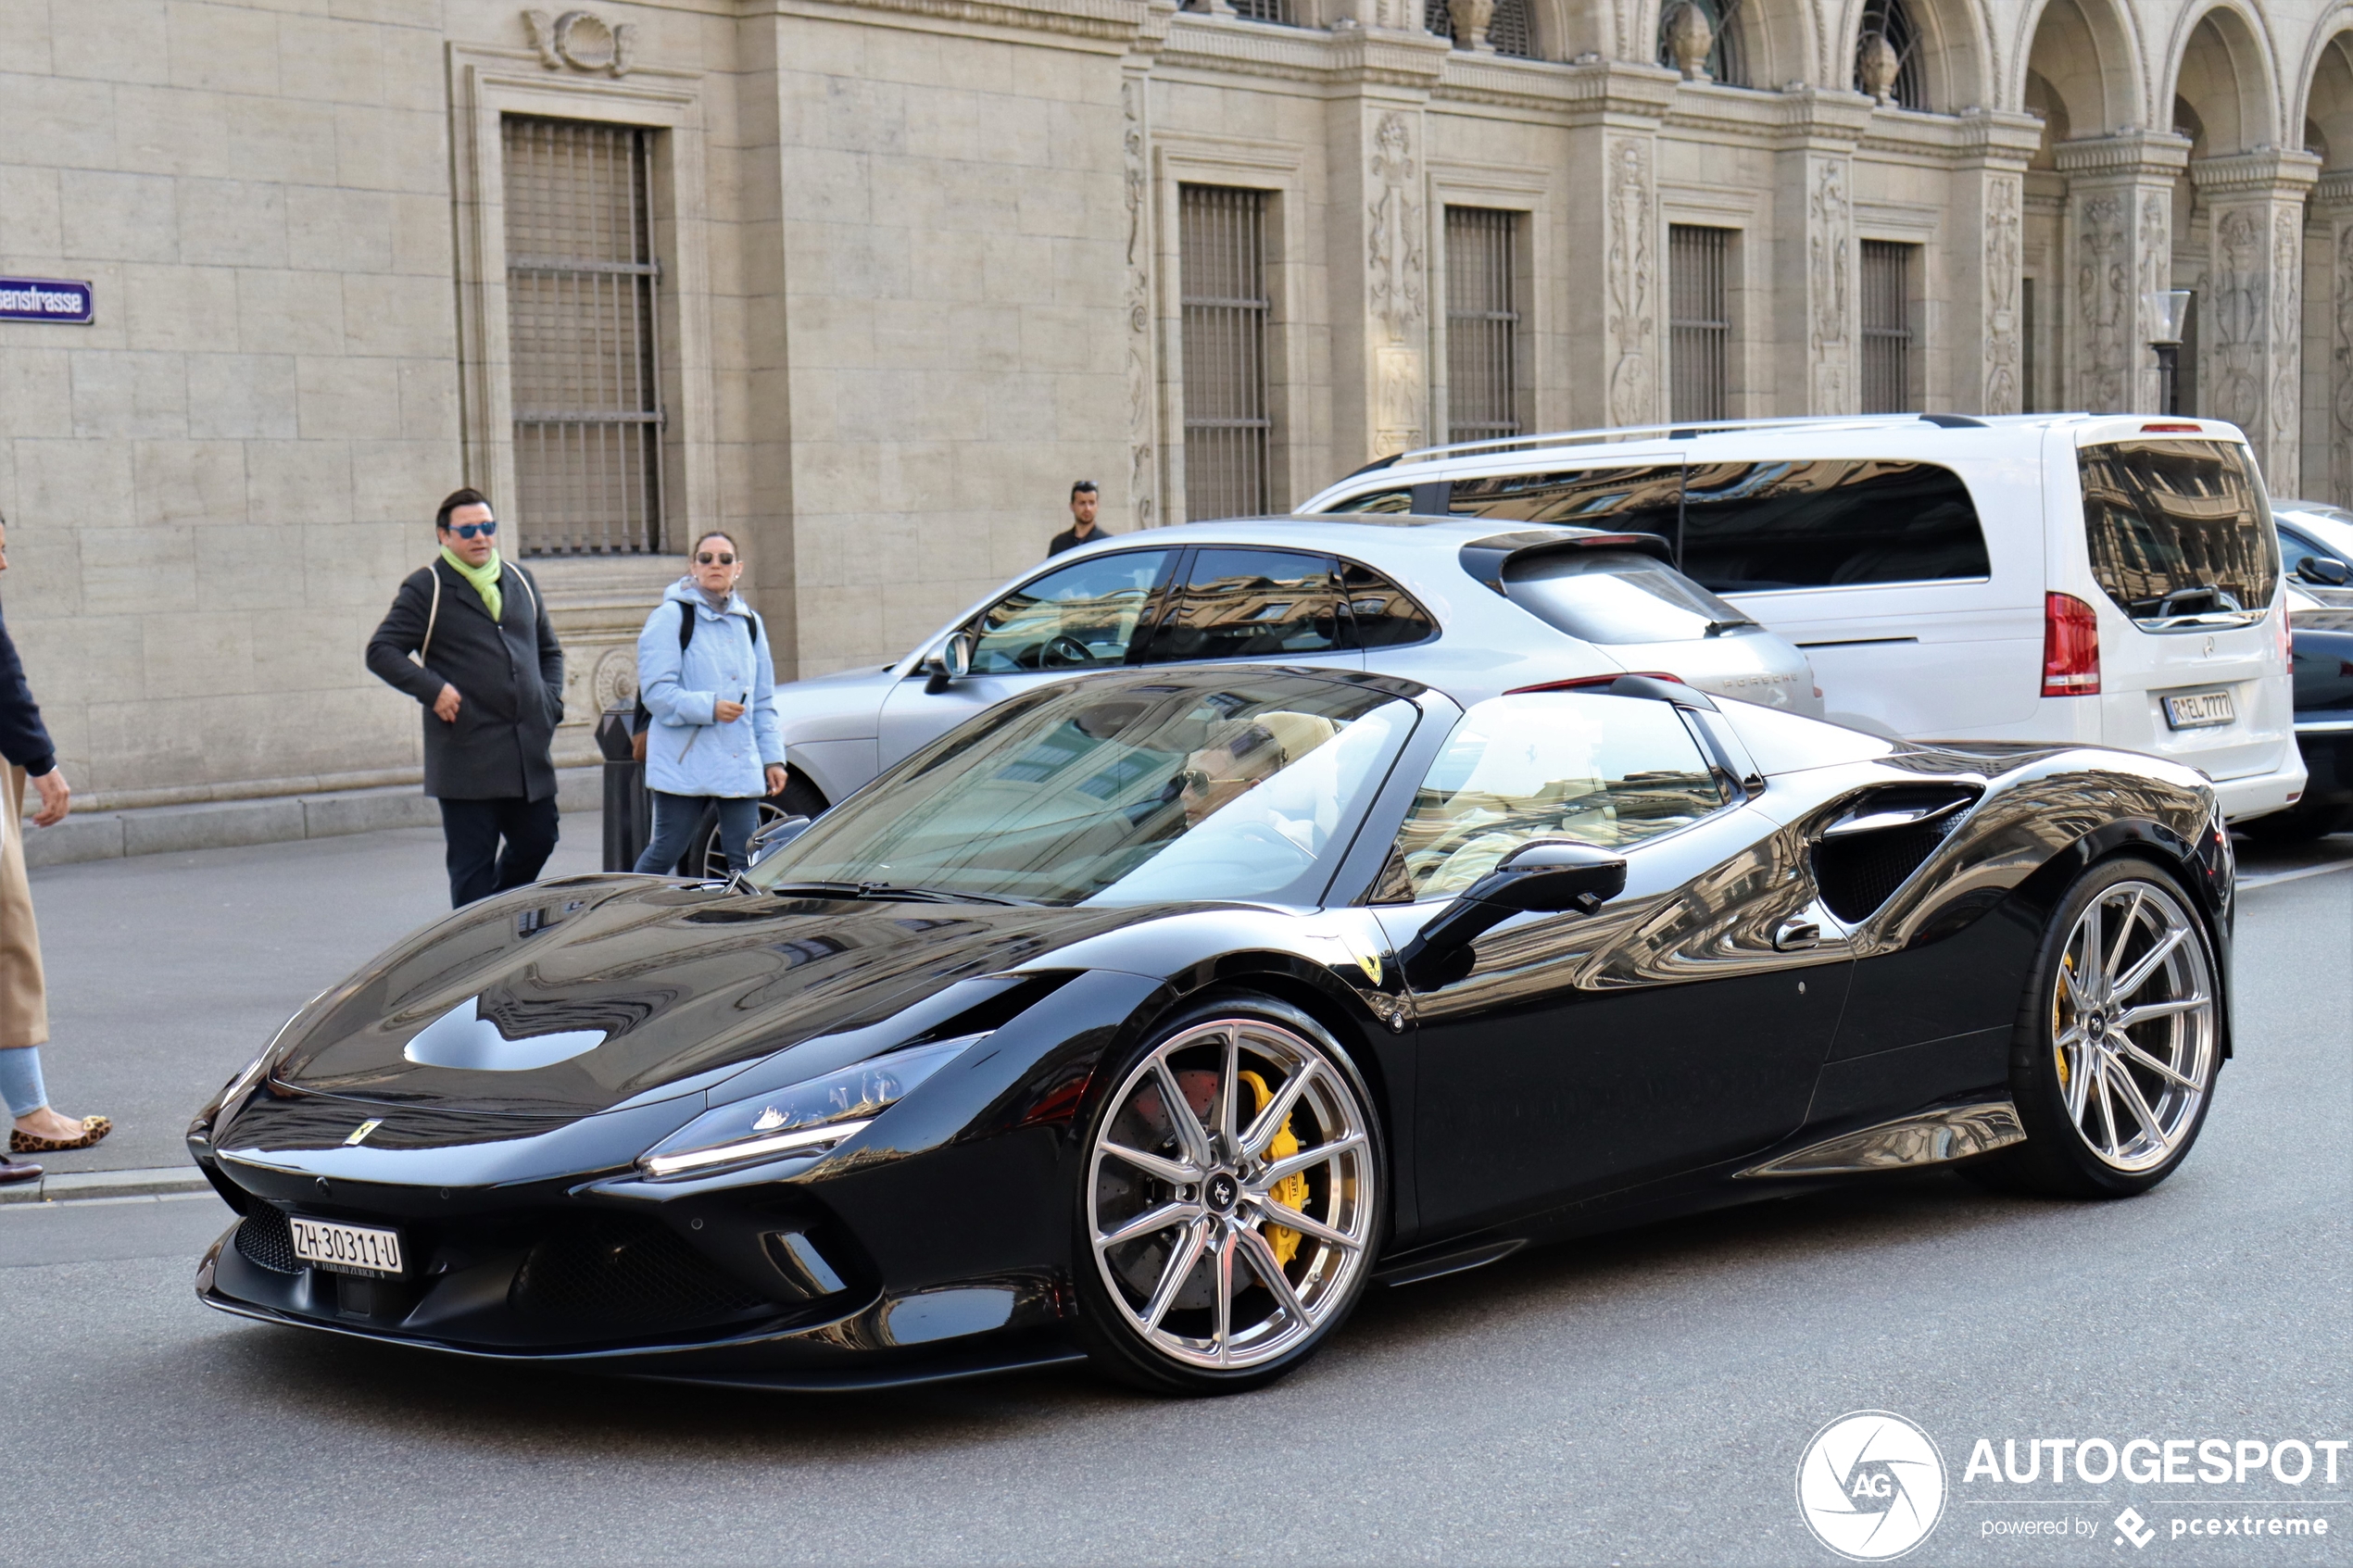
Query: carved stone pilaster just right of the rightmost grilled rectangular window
1989	201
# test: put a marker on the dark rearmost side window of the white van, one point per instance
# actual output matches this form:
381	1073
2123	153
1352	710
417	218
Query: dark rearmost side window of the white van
1761	528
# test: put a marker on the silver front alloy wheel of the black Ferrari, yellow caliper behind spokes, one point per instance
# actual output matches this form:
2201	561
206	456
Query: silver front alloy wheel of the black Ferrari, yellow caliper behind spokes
1220	1240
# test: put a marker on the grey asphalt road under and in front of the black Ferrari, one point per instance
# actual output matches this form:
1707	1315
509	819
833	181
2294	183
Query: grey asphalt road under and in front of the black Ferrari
1613	1402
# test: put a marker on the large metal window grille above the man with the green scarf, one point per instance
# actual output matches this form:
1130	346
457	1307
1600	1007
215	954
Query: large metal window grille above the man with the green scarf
582	337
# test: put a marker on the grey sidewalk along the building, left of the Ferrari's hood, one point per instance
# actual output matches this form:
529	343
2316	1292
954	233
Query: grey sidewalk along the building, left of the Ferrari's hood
171	972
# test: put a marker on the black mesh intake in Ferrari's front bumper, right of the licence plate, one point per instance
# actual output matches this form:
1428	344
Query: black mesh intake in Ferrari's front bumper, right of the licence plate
620	1278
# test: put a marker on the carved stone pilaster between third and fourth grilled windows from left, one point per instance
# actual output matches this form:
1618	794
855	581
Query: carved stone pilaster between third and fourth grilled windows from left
1613	217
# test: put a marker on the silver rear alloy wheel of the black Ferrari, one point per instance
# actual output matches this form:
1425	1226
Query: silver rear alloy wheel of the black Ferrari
2133	1026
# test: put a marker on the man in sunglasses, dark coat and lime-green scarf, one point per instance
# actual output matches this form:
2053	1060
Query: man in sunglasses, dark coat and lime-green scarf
491	678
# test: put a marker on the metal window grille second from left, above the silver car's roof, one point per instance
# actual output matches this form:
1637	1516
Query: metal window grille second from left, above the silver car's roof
1222	279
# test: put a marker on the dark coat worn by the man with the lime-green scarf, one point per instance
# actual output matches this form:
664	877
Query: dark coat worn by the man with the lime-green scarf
509	678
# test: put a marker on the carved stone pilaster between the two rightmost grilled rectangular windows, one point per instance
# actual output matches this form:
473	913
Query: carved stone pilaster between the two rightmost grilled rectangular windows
1815	288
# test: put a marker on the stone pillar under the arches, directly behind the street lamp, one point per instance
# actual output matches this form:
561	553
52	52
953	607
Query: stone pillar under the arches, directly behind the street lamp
2119	248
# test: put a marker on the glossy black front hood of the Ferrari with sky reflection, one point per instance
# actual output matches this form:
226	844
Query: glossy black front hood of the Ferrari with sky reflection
585	996
